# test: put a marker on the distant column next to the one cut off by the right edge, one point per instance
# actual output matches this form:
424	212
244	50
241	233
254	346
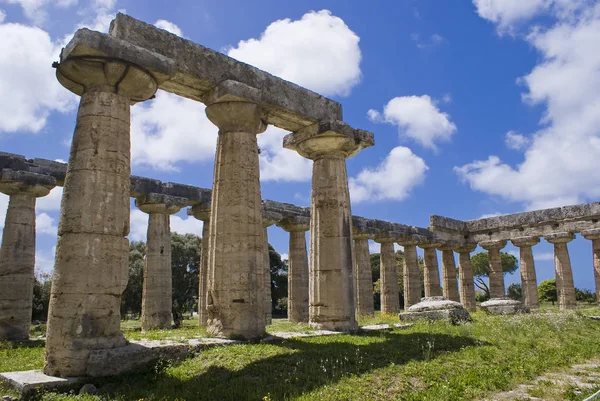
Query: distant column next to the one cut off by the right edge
565	287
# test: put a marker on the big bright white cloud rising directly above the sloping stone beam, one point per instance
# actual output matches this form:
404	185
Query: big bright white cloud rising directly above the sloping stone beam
318	52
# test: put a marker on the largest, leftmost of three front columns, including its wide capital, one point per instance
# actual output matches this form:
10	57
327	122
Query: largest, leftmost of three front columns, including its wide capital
92	252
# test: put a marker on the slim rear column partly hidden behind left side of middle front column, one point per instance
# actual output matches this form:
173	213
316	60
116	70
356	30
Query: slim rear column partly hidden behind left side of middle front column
202	212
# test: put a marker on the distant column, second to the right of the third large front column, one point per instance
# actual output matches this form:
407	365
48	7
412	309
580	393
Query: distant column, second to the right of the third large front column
388	281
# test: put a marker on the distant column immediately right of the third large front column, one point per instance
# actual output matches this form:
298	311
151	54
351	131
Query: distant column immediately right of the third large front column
363	277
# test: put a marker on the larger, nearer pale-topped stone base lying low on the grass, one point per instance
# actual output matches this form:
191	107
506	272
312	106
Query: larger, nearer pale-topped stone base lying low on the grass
437	308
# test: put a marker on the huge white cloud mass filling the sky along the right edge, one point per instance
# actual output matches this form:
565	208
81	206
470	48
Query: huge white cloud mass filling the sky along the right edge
562	159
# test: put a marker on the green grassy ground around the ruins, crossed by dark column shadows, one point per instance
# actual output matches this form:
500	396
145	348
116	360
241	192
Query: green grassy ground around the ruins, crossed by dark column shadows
425	362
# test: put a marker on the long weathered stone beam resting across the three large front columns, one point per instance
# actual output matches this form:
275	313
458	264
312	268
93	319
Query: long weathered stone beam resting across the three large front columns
199	70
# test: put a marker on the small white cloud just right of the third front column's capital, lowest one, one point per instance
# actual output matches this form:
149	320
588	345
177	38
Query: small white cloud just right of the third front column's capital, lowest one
393	179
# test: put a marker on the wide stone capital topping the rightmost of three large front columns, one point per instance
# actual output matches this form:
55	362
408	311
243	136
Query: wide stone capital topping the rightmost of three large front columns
325	137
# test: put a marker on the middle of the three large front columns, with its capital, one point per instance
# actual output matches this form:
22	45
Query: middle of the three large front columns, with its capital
235	299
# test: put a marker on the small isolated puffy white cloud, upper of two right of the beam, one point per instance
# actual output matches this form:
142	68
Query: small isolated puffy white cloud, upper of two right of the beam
418	118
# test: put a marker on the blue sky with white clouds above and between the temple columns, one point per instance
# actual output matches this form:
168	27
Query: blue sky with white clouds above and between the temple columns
478	108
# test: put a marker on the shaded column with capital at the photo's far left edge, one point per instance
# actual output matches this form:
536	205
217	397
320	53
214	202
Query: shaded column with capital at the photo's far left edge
17	254
